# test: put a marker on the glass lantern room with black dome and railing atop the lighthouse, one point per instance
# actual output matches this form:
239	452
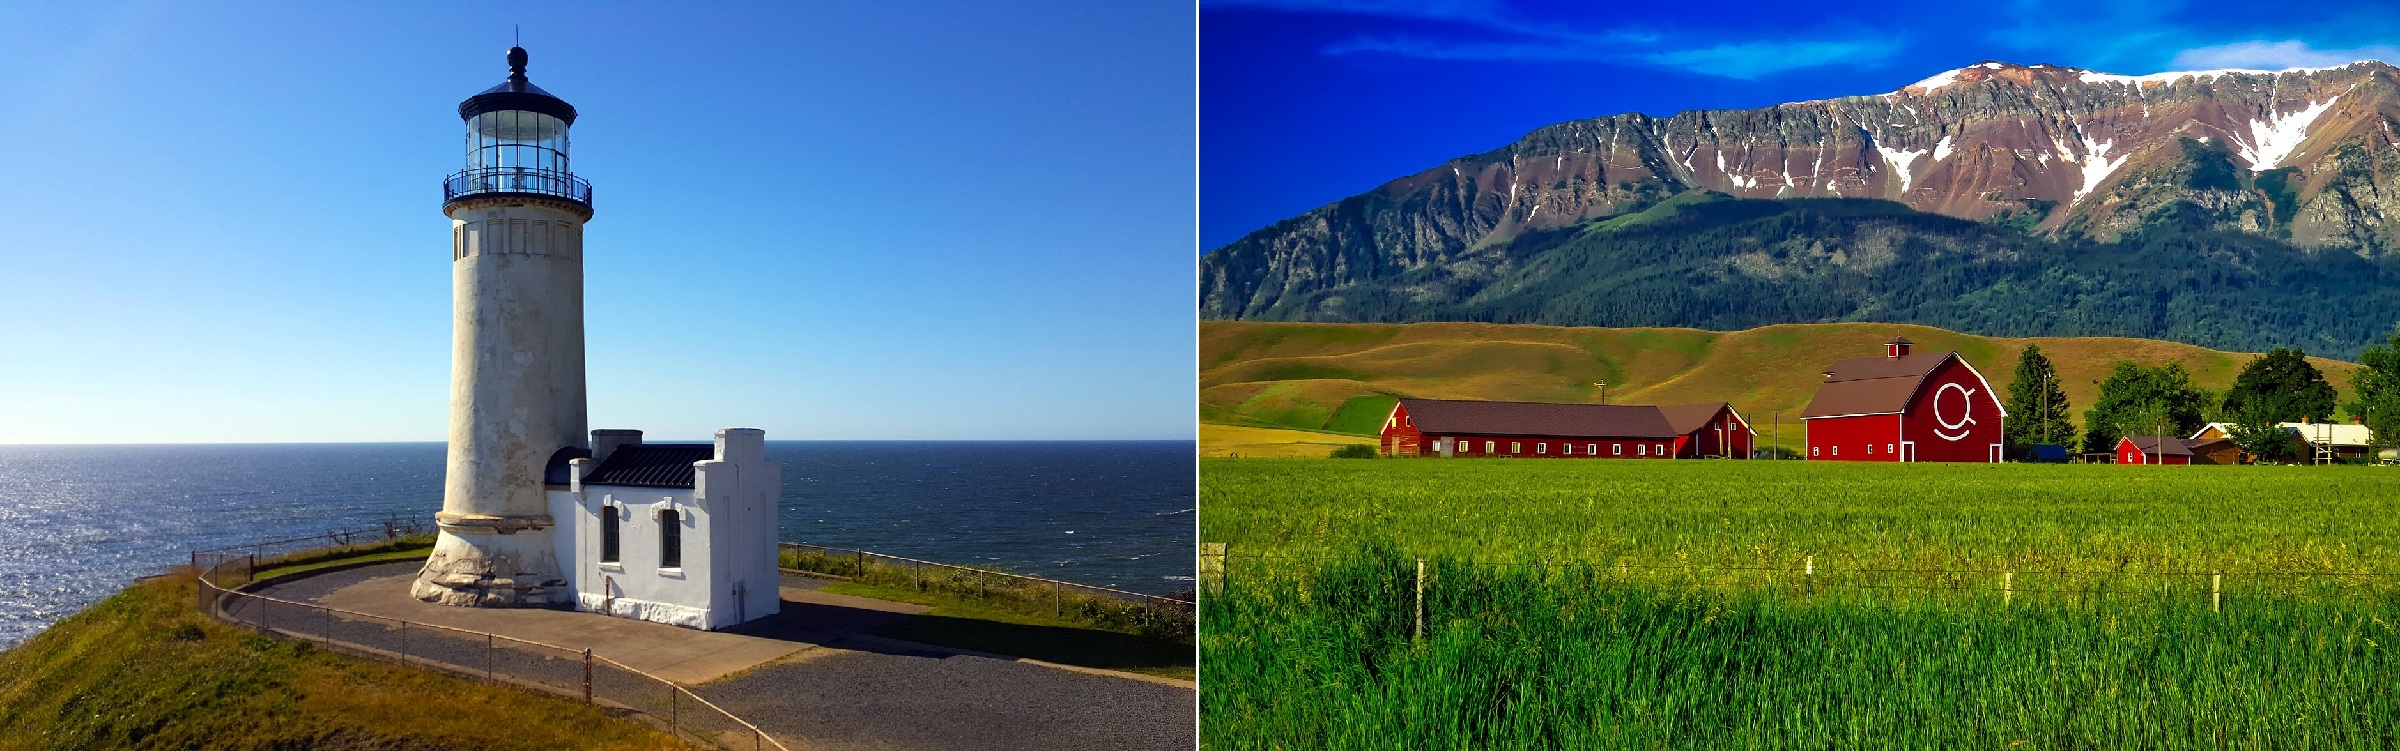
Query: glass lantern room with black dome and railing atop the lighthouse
517	143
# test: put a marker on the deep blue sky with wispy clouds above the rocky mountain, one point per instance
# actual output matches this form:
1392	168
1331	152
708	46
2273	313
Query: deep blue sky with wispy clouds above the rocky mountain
1307	102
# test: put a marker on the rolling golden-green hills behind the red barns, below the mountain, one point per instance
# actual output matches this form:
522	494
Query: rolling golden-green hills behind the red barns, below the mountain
1340	378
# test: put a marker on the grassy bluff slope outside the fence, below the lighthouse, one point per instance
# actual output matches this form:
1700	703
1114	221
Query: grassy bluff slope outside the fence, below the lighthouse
148	671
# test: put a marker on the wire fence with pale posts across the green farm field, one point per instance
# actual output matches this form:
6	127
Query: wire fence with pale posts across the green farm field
1220	563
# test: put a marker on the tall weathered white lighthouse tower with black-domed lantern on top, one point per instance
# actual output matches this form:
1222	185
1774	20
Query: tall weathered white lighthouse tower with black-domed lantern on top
517	349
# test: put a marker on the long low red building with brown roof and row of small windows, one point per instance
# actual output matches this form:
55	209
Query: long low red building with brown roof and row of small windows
1564	431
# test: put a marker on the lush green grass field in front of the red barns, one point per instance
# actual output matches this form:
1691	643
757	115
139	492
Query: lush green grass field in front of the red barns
1669	606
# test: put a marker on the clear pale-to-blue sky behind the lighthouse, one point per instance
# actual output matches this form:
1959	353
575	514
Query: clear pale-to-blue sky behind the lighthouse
220	222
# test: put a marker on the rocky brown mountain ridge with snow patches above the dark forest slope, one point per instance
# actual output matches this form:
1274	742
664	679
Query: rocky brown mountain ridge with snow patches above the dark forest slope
2300	157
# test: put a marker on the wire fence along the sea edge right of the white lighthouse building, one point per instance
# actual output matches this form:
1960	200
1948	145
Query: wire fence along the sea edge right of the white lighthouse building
1120	611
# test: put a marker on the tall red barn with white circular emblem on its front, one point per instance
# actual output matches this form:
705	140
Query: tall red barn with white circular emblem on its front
1904	407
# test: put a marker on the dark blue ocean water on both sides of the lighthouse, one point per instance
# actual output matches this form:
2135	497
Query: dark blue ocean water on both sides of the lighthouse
83	522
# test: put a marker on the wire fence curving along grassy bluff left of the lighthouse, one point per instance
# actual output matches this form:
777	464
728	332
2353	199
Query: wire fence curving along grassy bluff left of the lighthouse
457	651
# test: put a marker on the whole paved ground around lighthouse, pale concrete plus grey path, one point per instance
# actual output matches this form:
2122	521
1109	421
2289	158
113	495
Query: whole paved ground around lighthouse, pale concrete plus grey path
812	675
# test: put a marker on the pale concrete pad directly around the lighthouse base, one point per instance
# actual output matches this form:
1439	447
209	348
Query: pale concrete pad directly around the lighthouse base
685	656
